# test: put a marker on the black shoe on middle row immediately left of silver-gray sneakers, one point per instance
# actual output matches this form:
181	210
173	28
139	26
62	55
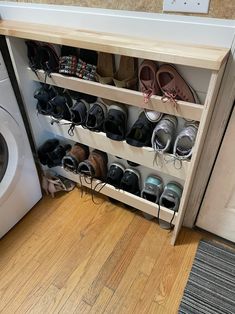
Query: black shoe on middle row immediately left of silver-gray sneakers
141	132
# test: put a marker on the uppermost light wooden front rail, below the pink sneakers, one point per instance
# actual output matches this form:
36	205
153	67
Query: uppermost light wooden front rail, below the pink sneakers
122	95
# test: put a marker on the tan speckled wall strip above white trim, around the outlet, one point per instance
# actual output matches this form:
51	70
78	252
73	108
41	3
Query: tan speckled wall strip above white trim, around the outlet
225	10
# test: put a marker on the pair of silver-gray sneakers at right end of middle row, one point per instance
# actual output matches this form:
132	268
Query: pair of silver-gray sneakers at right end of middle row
165	138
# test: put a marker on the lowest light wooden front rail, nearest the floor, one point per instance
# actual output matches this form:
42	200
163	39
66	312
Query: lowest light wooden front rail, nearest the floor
122	196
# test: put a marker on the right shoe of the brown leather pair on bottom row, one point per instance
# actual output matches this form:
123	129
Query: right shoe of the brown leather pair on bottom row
95	166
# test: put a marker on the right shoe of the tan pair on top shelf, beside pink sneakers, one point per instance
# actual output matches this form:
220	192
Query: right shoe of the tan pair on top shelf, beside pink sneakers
127	74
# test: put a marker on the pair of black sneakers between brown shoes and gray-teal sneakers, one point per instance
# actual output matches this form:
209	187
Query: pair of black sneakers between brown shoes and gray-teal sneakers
125	179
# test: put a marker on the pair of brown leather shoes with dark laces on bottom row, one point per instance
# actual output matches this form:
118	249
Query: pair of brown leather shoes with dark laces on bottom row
80	160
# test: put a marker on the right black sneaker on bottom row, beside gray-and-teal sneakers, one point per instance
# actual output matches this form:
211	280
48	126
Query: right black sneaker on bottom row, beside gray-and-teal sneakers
130	182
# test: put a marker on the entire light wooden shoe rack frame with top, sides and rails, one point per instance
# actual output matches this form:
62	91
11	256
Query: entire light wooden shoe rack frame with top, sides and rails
202	58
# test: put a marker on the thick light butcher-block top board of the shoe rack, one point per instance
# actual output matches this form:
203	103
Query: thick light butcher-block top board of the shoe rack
191	55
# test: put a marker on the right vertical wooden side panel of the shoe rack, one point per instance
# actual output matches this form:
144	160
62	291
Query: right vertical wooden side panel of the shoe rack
213	89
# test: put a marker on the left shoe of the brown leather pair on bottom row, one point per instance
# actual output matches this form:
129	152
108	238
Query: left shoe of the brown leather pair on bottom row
77	154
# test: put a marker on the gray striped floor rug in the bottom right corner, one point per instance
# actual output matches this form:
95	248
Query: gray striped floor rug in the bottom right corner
211	285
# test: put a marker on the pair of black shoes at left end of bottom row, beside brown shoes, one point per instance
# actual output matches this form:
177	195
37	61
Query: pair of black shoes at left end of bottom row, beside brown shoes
51	153
